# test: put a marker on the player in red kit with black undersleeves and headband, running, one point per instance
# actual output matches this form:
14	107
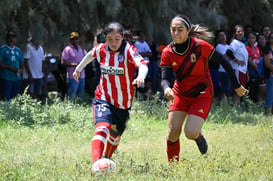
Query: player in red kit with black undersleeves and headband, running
191	95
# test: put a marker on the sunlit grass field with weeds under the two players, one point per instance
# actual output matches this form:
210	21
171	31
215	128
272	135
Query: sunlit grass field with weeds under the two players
52	141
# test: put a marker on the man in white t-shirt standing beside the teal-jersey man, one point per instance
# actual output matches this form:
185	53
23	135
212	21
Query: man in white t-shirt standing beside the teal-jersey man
34	67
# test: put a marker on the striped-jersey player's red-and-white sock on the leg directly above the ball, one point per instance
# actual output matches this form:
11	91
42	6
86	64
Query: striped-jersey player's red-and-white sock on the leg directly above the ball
99	139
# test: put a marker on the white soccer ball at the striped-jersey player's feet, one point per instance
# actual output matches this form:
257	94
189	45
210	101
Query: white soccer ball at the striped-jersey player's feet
102	166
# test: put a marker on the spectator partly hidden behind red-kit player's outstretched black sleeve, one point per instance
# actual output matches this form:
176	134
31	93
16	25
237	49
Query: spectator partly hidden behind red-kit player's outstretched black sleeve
221	47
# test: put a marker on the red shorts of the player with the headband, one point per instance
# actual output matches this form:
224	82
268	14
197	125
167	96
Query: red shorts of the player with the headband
199	106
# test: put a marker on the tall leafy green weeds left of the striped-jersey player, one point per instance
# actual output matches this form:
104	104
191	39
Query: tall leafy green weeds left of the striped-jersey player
32	113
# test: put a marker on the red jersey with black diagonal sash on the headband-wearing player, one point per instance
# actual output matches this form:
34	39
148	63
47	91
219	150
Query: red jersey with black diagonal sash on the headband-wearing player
190	67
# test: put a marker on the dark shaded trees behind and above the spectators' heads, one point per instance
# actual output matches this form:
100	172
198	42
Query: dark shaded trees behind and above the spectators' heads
52	20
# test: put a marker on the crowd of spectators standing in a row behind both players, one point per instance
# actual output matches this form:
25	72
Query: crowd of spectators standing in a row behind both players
248	50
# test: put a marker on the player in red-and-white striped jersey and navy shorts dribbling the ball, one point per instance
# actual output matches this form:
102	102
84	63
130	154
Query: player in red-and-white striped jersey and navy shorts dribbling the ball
115	92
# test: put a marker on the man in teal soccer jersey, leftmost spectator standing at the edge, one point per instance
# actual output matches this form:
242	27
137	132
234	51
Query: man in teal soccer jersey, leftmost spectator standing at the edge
11	65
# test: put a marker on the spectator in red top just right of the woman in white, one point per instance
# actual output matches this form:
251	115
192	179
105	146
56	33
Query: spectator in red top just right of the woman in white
253	61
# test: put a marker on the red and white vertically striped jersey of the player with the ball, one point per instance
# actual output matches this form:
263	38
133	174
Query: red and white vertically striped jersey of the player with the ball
117	73
